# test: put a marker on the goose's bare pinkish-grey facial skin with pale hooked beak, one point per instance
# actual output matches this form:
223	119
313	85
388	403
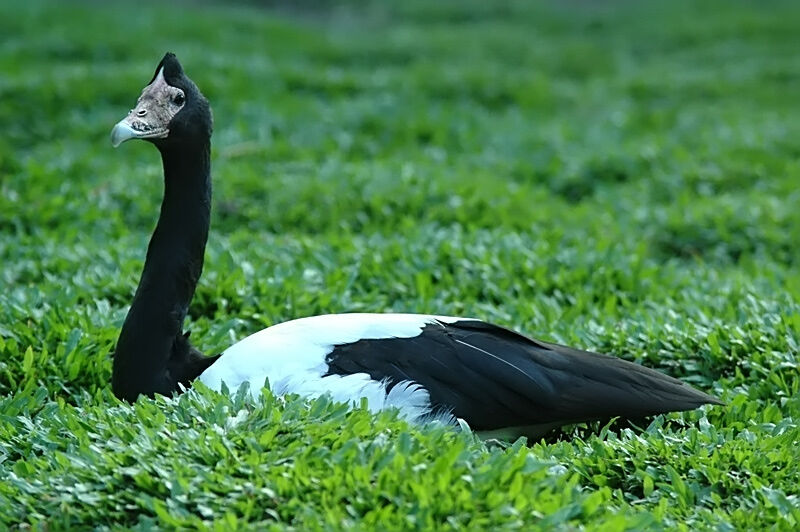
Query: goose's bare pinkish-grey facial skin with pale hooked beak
154	110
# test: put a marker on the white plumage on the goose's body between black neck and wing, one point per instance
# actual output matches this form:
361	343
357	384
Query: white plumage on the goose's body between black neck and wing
292	356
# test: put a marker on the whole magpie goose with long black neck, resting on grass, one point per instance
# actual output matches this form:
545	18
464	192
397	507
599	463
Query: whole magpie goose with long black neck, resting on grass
429	368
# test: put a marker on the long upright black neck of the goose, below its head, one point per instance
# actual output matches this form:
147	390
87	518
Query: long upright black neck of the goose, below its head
172	268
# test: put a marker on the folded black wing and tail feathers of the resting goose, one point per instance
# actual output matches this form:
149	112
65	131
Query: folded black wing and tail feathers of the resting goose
495	378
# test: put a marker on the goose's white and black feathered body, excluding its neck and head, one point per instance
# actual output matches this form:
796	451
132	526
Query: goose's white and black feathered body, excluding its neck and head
441	367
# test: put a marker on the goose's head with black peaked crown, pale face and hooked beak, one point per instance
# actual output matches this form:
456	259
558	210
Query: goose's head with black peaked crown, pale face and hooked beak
171	110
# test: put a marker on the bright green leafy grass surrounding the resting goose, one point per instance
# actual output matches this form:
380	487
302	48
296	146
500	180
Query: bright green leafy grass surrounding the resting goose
621	176
